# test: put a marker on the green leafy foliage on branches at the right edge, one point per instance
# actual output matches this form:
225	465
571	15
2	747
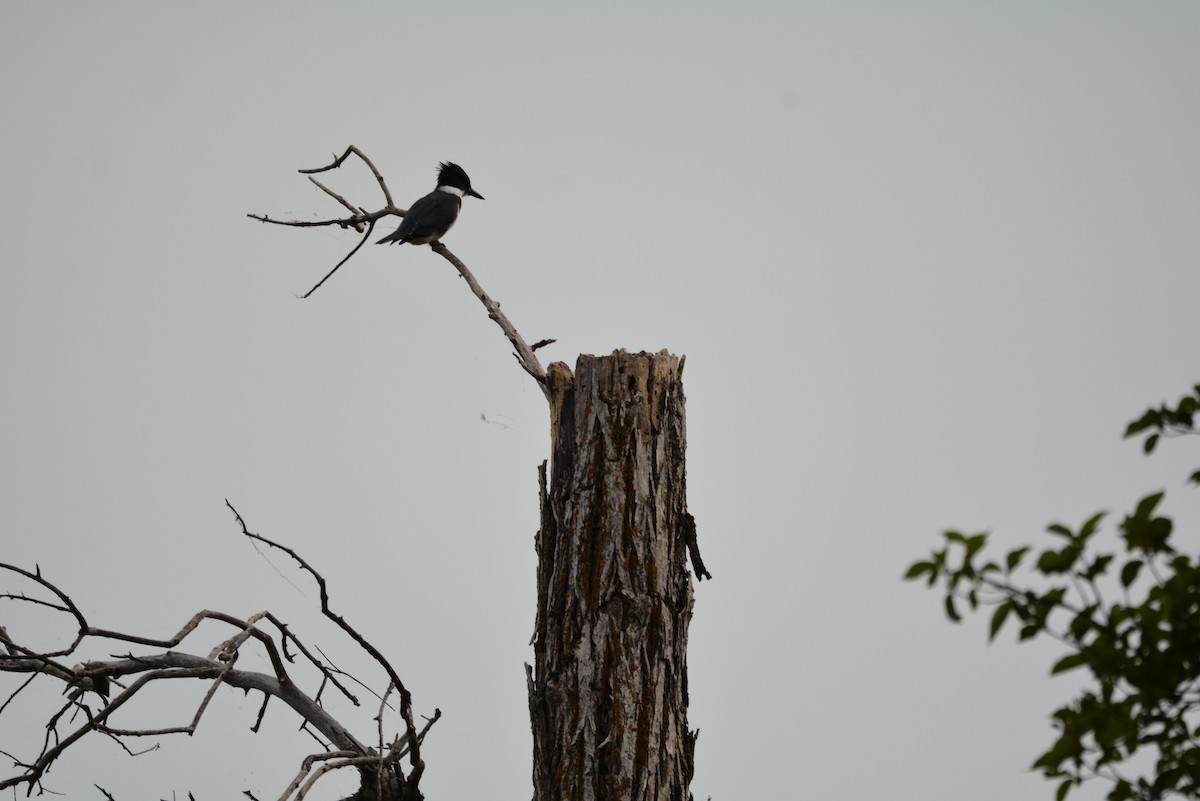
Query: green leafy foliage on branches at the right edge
1131	618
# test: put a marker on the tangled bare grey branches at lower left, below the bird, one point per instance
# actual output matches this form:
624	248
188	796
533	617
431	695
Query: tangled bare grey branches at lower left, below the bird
97	690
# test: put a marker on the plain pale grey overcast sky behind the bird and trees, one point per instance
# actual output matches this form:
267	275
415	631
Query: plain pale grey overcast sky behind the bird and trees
926	261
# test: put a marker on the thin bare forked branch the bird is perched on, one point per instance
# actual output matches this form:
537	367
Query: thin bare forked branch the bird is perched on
364	222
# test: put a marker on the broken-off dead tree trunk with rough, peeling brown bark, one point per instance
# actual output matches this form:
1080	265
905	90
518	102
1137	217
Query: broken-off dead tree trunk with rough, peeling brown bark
609	690
